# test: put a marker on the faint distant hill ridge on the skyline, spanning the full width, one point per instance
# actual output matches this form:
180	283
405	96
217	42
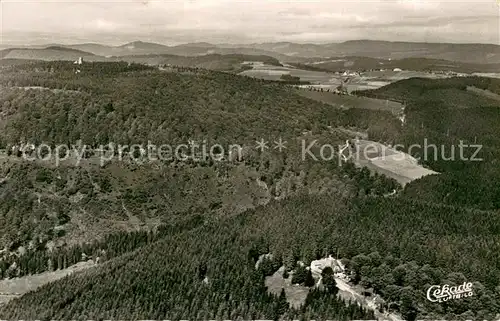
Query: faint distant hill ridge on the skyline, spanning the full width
282	51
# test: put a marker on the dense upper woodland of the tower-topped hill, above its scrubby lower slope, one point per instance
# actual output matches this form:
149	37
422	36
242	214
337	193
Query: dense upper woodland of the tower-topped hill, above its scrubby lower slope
120	103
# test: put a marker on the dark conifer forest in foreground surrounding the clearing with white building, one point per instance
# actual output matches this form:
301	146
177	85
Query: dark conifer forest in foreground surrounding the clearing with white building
399	265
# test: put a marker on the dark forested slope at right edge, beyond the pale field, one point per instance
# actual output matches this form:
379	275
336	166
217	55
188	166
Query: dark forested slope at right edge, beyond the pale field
444	113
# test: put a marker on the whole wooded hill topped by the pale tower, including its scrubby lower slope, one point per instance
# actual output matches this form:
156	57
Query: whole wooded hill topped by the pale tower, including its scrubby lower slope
46	203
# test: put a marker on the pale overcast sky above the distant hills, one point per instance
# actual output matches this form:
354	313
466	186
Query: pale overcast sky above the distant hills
233	21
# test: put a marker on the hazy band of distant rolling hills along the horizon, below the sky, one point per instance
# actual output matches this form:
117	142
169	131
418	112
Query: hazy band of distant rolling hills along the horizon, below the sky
365	53
